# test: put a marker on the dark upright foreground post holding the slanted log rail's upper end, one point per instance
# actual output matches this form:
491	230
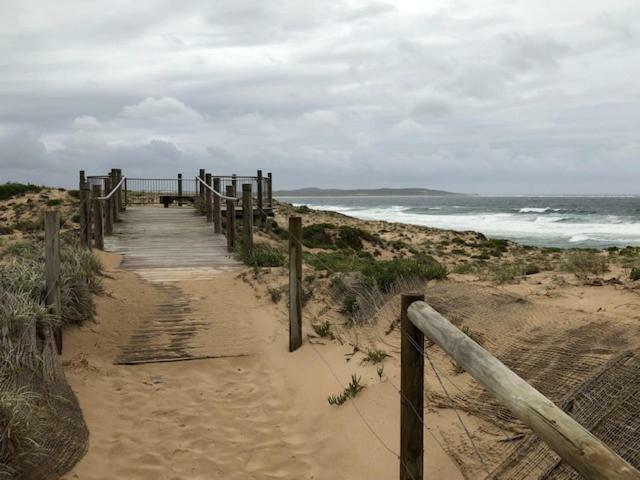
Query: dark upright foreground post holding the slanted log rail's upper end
411	394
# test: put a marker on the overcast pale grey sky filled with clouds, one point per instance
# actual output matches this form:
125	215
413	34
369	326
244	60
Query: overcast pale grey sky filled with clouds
481	96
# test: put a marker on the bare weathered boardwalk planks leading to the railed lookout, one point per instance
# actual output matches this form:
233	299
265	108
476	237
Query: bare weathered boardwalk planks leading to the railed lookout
169	244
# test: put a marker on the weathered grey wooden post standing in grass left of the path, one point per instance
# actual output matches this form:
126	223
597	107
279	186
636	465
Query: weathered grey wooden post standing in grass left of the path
52	266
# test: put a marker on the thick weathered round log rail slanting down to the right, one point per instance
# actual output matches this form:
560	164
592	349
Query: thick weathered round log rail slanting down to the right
571	441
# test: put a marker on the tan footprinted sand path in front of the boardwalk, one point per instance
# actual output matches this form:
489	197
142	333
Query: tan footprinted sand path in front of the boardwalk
264	415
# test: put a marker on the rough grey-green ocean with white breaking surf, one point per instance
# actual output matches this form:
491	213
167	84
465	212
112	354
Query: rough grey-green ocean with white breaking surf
566	222
